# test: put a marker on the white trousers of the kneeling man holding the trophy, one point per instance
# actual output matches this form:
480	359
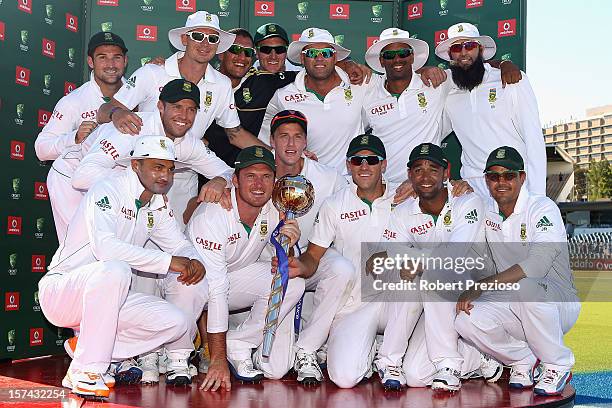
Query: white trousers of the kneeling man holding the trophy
250	288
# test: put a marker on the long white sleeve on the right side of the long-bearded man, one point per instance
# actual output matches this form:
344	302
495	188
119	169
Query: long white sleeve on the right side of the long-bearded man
527	120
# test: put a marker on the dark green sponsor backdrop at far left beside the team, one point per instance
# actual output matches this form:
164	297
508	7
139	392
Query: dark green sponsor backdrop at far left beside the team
42	54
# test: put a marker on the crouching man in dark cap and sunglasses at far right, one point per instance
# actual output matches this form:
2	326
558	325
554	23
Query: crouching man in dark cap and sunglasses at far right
529	247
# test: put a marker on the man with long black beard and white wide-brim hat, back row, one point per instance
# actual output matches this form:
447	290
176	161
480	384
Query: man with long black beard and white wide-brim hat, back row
484	114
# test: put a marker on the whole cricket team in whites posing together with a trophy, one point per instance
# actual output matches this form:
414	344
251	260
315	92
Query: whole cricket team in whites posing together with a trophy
163	212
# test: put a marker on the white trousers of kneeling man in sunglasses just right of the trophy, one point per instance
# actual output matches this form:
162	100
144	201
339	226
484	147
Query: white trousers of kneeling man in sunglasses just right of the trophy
351	343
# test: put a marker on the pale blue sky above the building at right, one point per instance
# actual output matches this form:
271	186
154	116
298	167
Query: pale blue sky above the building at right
569	56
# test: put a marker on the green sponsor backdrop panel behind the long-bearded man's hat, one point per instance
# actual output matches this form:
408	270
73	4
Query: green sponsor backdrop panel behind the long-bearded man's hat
503	20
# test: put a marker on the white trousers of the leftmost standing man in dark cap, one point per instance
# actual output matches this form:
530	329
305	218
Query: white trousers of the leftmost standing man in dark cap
64	201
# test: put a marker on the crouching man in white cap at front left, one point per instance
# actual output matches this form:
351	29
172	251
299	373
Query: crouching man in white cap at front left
86	287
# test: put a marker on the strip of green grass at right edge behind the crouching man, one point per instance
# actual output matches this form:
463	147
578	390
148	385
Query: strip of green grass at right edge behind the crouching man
591	337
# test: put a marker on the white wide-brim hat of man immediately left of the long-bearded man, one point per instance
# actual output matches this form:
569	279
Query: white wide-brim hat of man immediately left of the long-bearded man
396	35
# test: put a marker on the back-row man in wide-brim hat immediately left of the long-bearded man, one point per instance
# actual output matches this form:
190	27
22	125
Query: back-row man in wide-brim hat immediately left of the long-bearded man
401	109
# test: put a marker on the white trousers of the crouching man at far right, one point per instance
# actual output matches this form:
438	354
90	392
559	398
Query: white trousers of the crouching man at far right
516	328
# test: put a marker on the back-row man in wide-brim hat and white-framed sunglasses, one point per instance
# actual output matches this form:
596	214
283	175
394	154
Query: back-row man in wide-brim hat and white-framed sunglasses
198	42
